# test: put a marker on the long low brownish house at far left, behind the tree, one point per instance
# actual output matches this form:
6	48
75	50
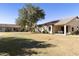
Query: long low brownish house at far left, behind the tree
9	28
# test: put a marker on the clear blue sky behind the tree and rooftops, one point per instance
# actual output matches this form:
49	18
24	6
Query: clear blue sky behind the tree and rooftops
53	11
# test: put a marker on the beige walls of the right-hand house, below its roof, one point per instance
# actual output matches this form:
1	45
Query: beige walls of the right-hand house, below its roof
73	23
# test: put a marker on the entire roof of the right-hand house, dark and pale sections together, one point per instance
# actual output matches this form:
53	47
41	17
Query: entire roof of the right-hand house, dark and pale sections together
60	22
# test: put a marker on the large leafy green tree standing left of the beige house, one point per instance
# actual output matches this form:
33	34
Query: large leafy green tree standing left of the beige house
29	15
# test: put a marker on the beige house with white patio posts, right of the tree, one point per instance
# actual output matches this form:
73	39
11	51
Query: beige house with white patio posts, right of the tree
62	26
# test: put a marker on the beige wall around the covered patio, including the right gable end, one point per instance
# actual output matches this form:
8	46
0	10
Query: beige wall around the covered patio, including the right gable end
73	23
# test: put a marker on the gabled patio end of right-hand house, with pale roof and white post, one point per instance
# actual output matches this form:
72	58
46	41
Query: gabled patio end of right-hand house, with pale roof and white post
66	25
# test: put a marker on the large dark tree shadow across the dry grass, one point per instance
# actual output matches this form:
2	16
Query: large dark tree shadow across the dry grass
14	46
